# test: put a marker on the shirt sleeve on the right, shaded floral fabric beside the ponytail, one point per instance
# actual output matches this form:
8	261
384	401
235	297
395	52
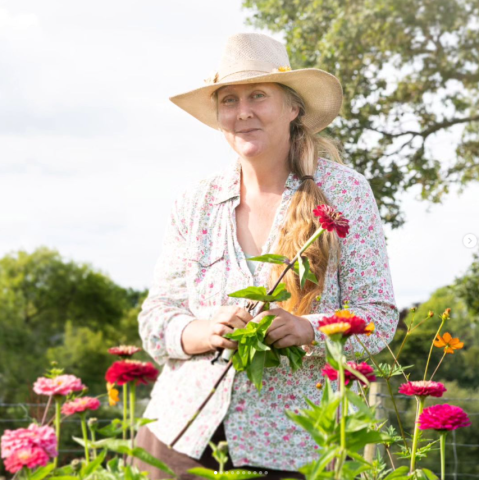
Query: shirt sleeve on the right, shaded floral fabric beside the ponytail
364	277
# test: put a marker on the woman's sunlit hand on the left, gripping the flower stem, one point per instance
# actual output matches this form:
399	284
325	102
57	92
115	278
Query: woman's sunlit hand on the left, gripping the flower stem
225	321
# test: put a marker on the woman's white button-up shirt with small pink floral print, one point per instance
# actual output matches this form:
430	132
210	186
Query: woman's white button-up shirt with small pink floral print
200	263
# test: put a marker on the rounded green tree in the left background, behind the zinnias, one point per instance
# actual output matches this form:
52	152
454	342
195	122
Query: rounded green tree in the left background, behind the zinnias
52	309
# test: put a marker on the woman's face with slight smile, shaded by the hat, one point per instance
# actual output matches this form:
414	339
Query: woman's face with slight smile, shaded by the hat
255	118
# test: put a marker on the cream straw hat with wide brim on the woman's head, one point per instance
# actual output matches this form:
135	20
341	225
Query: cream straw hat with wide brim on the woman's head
257	58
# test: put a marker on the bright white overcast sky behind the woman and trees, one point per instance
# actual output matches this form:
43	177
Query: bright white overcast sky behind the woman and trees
92	153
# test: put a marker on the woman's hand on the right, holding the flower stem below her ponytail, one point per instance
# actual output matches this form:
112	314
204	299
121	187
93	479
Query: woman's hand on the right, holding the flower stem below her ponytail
287	329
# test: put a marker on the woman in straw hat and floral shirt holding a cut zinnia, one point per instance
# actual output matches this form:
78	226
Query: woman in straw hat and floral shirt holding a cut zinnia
260	204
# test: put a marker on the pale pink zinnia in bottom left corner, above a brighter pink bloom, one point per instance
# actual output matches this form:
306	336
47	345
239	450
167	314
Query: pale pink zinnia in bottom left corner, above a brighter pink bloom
43	437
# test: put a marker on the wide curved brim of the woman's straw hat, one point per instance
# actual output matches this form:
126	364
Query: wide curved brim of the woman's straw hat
322	94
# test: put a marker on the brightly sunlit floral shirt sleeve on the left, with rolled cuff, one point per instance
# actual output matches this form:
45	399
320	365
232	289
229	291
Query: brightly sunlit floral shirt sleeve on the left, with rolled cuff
165	313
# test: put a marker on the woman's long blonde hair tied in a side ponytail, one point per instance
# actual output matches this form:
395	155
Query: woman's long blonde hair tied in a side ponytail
300	223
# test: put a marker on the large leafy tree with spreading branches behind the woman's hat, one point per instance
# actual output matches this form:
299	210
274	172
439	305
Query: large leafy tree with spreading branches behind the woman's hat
410	72
